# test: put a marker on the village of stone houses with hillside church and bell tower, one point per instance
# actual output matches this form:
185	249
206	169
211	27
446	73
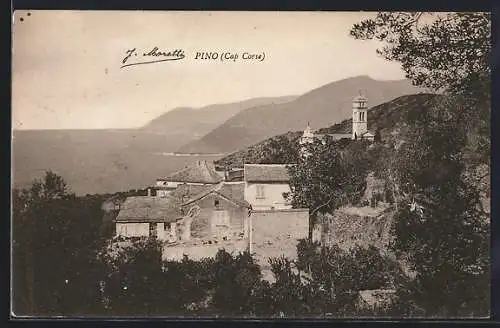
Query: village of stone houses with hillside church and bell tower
203	208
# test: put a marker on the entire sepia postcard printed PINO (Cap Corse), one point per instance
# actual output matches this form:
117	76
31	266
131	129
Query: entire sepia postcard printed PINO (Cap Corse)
250	165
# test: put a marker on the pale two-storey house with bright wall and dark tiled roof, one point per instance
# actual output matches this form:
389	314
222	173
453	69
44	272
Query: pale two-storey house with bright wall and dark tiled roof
265	185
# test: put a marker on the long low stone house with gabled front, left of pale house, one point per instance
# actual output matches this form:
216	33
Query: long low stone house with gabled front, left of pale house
190	212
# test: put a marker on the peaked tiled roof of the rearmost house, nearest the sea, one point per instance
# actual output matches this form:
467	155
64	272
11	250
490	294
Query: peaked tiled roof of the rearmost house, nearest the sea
199	172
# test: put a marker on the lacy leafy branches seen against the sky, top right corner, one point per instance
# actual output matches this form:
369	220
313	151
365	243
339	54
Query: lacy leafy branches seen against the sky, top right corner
439	51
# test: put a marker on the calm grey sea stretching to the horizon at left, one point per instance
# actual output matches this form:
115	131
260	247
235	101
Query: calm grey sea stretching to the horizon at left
97	162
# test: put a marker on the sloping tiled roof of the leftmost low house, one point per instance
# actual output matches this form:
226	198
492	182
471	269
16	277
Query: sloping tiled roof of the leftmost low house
149	209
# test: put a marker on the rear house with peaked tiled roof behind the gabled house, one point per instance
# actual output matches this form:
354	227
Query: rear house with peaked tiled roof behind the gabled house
201	173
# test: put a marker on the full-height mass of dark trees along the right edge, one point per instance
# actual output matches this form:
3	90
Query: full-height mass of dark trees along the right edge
440	225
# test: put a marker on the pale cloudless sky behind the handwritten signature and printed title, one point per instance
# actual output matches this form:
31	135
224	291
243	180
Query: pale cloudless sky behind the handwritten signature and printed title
66	64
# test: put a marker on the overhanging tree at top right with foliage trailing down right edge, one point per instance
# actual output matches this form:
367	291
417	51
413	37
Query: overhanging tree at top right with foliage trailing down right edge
445	52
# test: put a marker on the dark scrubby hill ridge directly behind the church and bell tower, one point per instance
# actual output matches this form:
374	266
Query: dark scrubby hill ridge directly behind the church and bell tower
387	116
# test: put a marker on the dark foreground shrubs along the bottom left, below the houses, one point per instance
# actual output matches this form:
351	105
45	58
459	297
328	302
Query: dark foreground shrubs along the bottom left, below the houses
65	267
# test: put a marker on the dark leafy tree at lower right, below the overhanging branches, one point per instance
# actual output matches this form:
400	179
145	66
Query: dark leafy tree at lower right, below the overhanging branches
440	226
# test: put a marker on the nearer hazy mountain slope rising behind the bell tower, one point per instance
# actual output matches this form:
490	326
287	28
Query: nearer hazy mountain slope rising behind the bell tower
320	107
